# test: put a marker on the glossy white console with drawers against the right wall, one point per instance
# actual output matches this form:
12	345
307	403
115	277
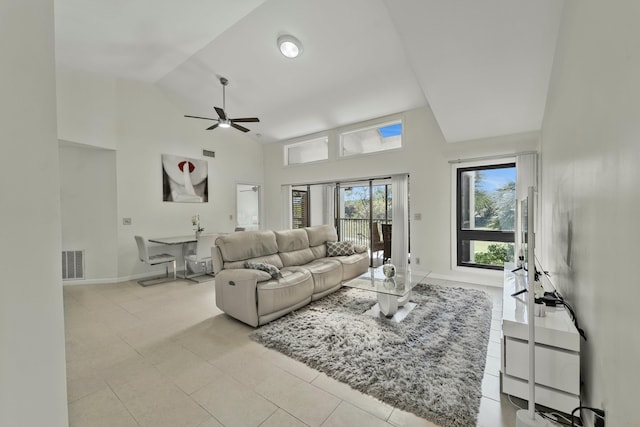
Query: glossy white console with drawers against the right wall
557	351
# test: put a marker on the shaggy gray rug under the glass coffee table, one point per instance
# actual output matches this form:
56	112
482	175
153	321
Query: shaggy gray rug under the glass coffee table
430	364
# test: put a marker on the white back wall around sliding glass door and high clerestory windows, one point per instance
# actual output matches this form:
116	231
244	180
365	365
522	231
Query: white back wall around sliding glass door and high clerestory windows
426	158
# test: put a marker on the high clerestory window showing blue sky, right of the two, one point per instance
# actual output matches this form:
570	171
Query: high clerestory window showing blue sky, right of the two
383	137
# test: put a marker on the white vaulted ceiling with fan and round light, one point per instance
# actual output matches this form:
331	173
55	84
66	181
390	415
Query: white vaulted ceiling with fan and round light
483	66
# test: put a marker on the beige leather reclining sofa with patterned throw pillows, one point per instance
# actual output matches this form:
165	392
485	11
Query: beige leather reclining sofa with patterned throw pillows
287	270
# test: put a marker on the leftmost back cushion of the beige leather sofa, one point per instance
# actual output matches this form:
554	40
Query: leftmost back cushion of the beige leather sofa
245	245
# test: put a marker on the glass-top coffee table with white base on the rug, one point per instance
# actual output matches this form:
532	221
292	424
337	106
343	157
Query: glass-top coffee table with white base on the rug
393	294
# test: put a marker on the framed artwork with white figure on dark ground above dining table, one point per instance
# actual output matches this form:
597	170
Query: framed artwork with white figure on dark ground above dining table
184	180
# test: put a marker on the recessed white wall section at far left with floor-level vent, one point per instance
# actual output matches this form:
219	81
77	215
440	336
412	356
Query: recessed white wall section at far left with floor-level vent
88	203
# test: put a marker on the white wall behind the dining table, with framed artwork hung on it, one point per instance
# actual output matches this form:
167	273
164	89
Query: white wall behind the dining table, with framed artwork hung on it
149	126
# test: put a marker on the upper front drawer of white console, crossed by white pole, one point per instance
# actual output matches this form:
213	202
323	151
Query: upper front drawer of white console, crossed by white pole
556	368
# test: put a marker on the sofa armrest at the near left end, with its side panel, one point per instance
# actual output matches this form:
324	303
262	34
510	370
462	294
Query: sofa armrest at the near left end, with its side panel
236	293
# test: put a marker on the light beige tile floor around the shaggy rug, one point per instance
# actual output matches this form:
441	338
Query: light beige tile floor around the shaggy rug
165	355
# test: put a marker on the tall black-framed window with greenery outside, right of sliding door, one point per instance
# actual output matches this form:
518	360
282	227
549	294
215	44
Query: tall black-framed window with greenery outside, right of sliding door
486	198
